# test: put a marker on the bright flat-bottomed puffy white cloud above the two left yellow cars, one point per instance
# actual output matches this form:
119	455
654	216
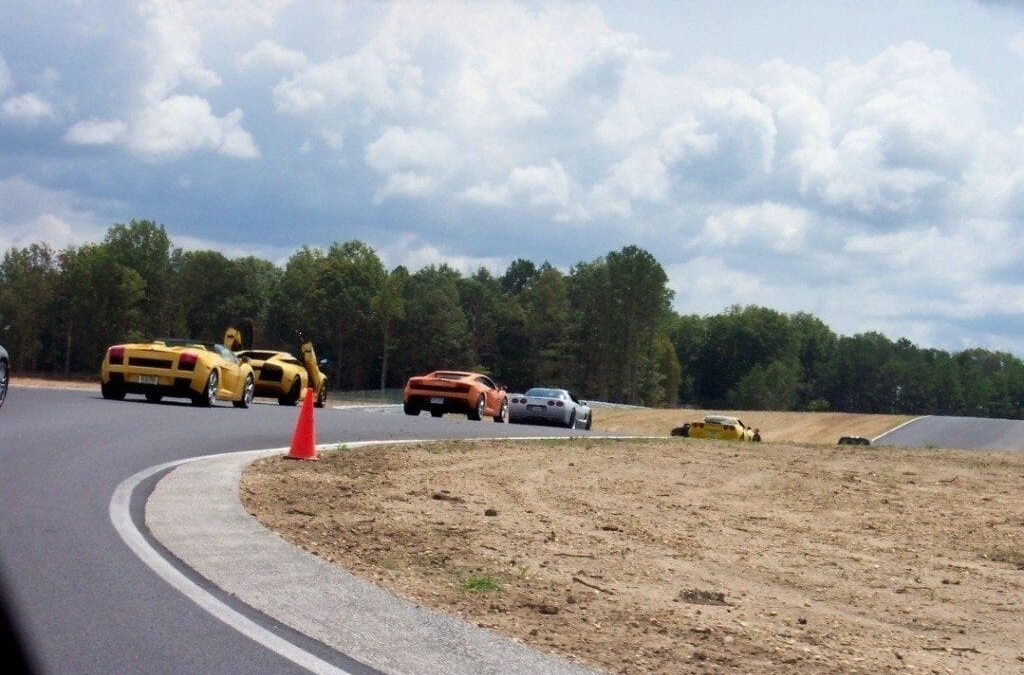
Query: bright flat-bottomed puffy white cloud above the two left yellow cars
181	124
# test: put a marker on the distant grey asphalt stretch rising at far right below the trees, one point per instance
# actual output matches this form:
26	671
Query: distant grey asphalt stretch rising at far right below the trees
965	433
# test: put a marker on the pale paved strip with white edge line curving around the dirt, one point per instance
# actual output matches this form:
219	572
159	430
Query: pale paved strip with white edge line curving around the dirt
195	512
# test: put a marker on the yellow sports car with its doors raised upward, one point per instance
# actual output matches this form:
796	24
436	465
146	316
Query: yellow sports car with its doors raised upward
282	376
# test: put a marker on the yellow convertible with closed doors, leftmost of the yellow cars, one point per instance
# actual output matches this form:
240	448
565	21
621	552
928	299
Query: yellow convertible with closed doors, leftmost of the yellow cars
204	372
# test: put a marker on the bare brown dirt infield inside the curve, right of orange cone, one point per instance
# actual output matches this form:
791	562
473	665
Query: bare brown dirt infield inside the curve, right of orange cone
684	556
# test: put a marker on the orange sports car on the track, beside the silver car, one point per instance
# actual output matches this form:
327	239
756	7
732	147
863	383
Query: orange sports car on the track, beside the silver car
472	395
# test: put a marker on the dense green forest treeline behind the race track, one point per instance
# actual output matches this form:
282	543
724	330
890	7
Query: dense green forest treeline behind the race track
607	329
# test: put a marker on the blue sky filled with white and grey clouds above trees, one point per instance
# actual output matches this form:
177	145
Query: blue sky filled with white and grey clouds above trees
860	160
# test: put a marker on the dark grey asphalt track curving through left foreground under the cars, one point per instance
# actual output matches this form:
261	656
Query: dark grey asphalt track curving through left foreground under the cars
82	602
